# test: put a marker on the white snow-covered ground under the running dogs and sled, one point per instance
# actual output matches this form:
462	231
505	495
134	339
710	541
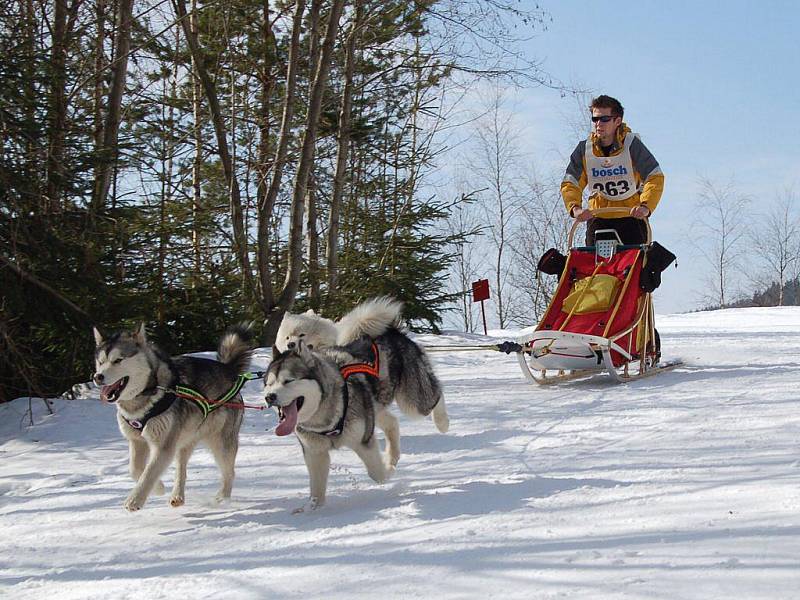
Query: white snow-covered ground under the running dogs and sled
683	485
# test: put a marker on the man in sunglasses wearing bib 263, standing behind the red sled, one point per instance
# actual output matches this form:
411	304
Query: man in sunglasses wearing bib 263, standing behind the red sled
620	172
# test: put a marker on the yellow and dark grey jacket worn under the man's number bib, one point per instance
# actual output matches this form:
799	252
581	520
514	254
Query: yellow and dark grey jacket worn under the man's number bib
644	164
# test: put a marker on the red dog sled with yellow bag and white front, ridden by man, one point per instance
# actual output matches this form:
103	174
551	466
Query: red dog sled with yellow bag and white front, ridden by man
599	320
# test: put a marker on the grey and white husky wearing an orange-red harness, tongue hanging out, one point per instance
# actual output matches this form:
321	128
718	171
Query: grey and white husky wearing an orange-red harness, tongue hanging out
334	398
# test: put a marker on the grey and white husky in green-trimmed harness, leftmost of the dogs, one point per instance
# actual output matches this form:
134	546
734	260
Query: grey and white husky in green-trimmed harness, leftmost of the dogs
141	380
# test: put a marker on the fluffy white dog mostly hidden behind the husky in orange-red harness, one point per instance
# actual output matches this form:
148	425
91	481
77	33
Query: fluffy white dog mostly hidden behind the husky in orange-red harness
370	318
